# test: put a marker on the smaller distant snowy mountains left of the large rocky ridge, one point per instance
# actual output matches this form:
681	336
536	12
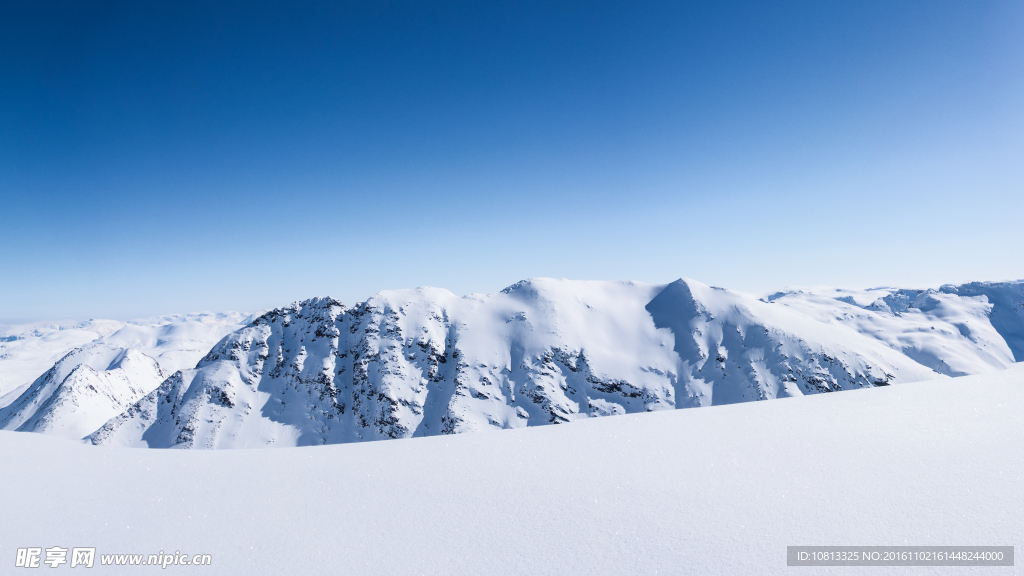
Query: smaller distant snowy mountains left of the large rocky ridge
102	379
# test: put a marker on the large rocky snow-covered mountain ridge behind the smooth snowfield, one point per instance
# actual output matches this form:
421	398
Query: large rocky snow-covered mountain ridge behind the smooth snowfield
424	362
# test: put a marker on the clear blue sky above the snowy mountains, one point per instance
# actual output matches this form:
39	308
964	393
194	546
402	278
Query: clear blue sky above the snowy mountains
164	157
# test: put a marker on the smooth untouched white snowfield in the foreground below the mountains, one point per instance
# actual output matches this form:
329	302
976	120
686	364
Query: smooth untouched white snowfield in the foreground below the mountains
722	490
